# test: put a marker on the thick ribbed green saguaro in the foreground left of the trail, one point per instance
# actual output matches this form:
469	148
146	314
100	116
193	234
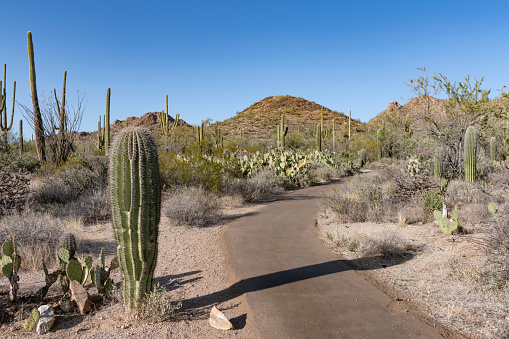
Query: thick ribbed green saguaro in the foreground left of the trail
136	205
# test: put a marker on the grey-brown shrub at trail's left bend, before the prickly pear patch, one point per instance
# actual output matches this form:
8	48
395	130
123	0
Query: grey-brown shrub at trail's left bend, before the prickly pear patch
261	185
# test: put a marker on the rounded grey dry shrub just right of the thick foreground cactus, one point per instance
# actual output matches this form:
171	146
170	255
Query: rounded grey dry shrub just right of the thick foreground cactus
191	206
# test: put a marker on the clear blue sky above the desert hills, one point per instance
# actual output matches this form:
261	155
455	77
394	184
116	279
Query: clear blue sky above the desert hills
215	58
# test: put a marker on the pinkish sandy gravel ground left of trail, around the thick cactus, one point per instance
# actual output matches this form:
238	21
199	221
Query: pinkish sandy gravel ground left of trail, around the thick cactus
191	265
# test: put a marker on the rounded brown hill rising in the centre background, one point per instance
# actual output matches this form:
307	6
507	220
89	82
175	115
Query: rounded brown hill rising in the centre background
260	120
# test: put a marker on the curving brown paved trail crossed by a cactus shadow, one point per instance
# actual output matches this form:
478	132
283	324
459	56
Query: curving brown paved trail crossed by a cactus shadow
296	288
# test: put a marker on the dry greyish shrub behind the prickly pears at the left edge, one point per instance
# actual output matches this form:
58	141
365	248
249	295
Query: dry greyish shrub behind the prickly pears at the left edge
37	237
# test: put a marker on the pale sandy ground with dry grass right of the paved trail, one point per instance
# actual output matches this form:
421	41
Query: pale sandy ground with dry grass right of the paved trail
432	278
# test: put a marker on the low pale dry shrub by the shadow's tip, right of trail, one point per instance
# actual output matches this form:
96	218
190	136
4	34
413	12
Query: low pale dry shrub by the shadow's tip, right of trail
387	244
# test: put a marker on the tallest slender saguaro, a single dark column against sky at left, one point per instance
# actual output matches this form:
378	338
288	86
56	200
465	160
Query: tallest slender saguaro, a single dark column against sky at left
38	126
